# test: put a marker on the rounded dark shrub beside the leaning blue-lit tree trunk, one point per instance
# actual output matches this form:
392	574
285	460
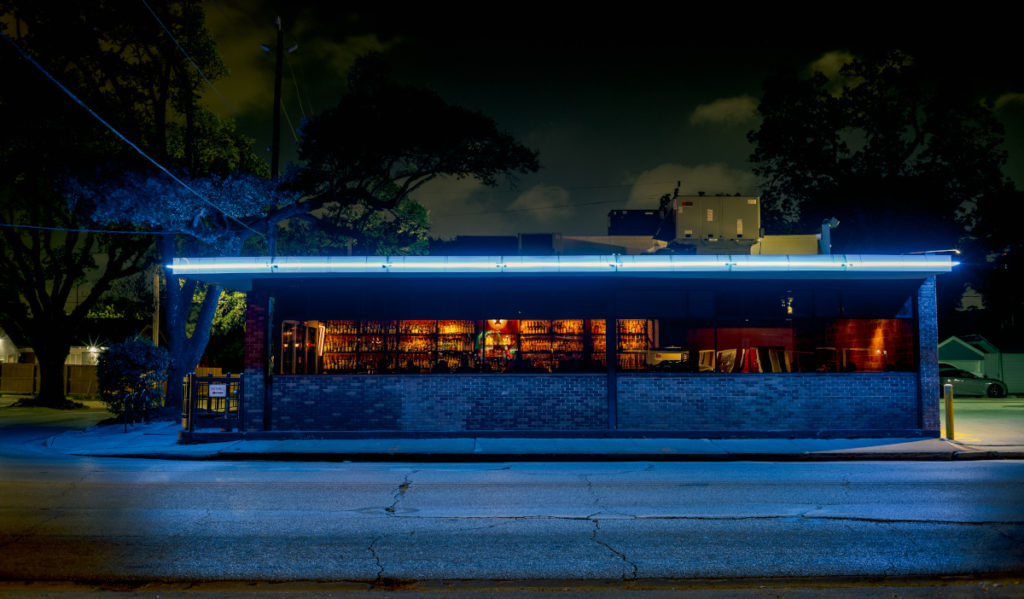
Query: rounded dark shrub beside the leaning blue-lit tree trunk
132	378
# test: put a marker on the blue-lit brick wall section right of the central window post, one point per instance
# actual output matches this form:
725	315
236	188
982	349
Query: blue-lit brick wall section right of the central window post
810	402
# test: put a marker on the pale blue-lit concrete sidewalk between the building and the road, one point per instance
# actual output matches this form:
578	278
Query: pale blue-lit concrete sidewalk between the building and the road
160	441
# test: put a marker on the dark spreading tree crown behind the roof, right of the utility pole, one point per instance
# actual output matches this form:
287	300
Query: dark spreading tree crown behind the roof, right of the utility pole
386	140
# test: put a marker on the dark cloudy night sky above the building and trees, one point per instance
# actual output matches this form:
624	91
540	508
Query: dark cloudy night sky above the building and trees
619	107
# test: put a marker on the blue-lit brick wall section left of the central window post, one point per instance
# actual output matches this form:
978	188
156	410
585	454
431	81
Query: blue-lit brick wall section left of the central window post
441	403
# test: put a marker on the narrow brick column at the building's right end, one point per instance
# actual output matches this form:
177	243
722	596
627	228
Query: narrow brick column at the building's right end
928	357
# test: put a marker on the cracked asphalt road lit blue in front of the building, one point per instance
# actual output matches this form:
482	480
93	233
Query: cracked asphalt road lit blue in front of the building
110	520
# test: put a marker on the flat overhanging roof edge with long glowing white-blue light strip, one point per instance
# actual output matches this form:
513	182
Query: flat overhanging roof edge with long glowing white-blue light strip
240	273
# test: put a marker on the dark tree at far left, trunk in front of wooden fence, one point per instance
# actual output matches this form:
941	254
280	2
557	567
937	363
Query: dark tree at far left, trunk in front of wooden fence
57	267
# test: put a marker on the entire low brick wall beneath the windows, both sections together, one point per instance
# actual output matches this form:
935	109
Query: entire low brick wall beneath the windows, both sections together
691	403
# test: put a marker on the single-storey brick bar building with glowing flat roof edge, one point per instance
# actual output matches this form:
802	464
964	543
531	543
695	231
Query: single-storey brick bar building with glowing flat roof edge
599	346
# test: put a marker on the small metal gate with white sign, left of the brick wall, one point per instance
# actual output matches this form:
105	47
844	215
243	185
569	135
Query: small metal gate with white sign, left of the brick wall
212	402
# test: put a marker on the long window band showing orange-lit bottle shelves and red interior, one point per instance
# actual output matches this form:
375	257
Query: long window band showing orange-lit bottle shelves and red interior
740	329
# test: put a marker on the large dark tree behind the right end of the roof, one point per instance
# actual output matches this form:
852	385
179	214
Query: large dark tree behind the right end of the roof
899	152
